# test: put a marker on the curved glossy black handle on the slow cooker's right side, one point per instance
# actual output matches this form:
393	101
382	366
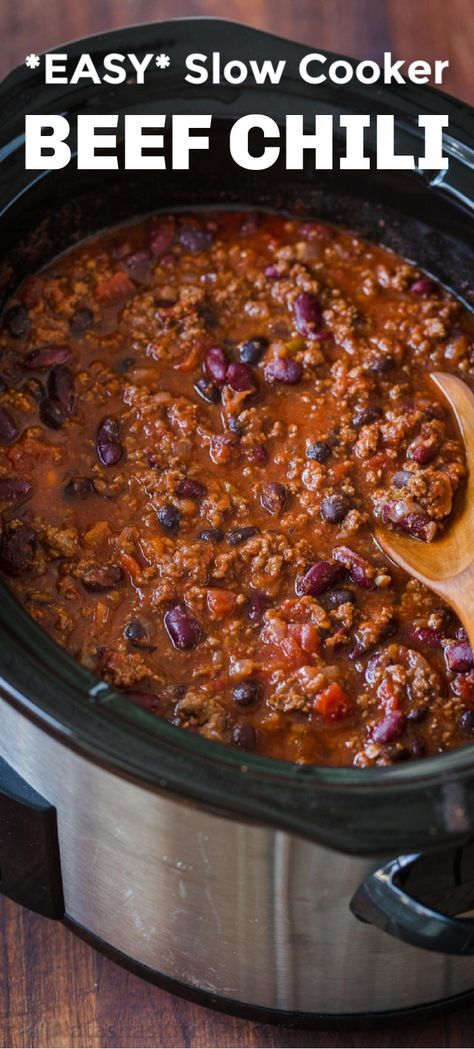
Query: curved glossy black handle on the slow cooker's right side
382	902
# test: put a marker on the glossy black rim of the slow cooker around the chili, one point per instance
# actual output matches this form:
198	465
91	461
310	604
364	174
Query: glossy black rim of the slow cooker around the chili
50	687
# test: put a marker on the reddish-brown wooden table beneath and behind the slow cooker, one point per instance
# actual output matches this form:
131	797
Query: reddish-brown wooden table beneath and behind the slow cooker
55	991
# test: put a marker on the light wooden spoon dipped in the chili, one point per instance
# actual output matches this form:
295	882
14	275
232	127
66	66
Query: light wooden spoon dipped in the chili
447	565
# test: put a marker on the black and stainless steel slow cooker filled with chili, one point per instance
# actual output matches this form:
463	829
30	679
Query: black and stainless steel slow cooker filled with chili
279	892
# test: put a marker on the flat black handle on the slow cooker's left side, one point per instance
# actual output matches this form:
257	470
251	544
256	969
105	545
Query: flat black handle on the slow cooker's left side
30	859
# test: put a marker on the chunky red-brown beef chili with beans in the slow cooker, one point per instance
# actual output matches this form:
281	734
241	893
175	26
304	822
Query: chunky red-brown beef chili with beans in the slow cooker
202	417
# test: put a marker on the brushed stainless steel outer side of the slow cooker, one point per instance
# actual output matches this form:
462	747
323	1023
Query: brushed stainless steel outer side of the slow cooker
230	909
